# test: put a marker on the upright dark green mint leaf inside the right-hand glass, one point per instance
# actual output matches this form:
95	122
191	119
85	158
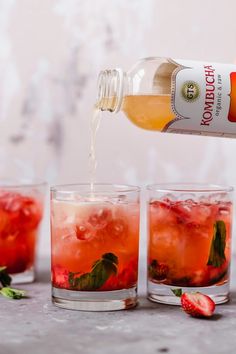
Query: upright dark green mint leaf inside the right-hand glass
217	251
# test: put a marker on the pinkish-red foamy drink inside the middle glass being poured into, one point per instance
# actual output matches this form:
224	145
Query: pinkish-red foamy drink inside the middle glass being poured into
94	246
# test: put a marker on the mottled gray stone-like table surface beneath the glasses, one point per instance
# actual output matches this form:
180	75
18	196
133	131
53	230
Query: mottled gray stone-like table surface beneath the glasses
35	326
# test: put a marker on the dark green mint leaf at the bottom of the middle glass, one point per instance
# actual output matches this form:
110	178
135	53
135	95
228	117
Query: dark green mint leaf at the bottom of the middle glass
102	269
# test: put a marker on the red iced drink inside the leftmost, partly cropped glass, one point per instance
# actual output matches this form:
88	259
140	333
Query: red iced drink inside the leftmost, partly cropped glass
20	217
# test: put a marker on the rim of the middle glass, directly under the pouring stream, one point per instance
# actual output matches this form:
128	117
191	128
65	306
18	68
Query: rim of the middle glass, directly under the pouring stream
117	188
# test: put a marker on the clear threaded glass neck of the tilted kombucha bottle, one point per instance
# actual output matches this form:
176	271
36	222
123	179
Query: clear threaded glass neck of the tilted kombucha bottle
110	90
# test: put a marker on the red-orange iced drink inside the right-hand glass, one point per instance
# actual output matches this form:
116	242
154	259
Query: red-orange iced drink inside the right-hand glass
189	242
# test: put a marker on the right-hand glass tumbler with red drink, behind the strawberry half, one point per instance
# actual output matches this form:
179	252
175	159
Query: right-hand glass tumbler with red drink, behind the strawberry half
189	240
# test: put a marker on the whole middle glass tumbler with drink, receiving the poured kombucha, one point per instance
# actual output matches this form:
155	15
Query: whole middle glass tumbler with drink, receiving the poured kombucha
95	242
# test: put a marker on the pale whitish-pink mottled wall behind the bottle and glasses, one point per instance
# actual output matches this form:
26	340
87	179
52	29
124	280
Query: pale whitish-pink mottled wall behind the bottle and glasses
50	54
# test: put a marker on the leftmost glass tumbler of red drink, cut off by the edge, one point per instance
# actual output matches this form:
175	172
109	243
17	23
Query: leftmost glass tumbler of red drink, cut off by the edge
21	212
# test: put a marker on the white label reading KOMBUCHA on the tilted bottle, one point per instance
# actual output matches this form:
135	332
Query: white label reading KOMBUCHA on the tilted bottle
203	98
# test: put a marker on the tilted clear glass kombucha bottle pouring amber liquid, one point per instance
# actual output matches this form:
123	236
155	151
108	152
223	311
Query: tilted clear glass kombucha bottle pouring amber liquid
167	95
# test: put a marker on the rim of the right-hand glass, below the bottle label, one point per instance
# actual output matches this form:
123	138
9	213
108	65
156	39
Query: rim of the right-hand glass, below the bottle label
189	188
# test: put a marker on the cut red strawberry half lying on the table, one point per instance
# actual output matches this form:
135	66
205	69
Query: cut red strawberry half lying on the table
197	304
